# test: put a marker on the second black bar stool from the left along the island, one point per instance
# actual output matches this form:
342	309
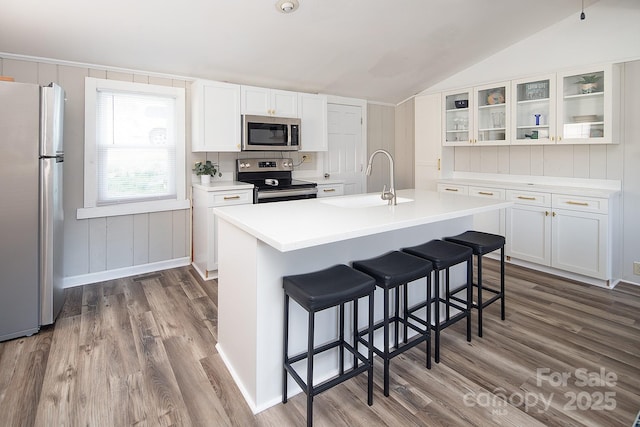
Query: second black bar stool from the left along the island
395	270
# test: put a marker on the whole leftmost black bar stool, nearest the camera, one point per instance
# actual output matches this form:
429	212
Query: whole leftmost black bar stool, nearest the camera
317	291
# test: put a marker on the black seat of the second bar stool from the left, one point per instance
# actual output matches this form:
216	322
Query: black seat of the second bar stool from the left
394	269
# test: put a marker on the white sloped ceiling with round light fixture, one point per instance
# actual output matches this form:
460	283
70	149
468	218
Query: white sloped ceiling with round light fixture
377	50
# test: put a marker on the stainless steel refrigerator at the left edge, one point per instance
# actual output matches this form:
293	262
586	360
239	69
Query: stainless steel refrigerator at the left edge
31	212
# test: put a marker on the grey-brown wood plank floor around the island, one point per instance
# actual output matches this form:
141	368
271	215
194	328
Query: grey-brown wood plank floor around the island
141	351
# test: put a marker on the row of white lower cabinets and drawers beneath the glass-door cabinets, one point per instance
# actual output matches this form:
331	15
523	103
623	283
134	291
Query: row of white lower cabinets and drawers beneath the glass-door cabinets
567	232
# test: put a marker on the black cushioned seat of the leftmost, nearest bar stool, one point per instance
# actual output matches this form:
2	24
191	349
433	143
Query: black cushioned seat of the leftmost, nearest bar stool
328	288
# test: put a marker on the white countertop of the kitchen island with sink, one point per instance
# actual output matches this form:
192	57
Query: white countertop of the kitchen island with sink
298	224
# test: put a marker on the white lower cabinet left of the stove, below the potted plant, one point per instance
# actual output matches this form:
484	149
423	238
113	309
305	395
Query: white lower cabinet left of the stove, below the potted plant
205	225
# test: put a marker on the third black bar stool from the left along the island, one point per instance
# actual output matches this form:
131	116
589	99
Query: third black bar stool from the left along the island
444	255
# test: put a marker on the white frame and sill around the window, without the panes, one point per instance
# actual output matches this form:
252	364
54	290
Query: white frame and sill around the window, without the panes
90	209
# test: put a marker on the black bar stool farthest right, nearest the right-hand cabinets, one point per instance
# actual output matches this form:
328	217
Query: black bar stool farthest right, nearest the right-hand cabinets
483	243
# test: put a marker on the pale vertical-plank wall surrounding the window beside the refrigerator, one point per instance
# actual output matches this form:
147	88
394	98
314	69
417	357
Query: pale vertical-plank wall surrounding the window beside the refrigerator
101	248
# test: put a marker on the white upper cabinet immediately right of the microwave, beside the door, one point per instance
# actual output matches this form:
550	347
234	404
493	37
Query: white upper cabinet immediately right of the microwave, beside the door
313	126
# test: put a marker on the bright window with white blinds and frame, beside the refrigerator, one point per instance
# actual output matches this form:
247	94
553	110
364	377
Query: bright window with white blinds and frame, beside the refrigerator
134	148
